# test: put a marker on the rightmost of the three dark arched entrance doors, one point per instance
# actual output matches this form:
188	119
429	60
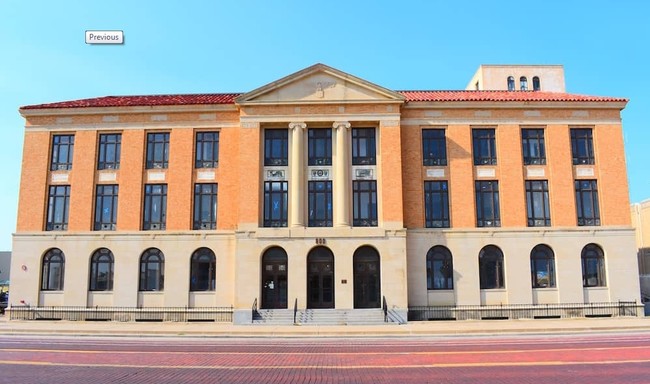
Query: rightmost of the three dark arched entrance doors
366	278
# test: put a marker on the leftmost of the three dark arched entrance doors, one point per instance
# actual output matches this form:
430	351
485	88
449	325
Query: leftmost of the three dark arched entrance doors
274	279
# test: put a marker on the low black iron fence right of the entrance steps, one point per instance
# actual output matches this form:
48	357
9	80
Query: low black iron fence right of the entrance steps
525	311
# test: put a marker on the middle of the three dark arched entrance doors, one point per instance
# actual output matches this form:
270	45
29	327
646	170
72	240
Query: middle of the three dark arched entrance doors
320	278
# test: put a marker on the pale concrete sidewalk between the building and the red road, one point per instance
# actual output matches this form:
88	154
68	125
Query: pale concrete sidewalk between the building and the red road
430	328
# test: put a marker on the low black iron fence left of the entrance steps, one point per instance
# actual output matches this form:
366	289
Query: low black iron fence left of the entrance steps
178	314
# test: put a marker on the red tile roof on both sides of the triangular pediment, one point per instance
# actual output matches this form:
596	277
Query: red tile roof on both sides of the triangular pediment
410	96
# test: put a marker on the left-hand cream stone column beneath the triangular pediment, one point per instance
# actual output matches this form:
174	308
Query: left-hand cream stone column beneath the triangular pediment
297	172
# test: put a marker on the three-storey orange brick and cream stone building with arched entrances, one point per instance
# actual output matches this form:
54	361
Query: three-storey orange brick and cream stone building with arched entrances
328	190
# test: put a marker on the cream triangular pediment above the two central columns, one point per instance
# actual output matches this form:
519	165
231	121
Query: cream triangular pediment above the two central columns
319	84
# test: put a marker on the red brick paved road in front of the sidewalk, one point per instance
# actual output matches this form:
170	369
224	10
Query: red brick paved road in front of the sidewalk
592	358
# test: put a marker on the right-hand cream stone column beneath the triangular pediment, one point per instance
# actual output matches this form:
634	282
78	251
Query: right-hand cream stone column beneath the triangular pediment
341	180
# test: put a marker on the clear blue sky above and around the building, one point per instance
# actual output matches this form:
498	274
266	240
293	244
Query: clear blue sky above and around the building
230	46
